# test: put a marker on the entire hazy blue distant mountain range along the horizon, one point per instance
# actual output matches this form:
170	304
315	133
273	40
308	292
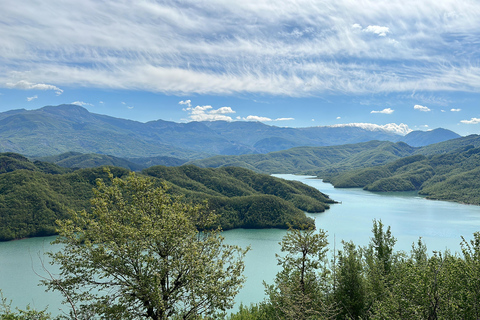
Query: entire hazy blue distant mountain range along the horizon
54	130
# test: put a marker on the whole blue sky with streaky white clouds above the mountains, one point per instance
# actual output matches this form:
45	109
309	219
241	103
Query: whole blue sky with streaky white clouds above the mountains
401	65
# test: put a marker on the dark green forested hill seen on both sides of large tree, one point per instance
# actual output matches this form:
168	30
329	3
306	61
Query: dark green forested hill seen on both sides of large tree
34	194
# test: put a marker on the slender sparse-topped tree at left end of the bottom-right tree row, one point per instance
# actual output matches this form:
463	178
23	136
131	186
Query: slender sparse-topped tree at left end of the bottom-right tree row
298	291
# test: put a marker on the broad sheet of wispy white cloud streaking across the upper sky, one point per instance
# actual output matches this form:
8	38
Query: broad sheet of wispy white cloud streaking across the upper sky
286	48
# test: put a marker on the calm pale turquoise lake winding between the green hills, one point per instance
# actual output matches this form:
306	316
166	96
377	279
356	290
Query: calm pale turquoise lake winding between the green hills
440	224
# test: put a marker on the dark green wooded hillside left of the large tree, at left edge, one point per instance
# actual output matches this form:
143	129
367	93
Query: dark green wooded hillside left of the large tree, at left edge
32	200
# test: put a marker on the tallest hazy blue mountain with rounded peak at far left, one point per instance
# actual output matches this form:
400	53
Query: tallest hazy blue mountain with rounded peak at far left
55	130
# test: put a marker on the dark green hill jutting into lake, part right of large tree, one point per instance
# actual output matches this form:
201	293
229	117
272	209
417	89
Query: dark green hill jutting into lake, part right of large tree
243	198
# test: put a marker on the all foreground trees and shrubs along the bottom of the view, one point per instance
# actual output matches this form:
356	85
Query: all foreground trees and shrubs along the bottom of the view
139	255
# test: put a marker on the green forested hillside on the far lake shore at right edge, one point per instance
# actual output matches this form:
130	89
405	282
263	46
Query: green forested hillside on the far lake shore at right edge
451	176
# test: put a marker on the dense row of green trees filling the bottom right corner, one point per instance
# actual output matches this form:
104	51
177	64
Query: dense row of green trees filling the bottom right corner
371	282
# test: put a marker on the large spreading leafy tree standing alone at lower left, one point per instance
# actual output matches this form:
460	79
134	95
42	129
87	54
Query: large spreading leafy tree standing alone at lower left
138	254
